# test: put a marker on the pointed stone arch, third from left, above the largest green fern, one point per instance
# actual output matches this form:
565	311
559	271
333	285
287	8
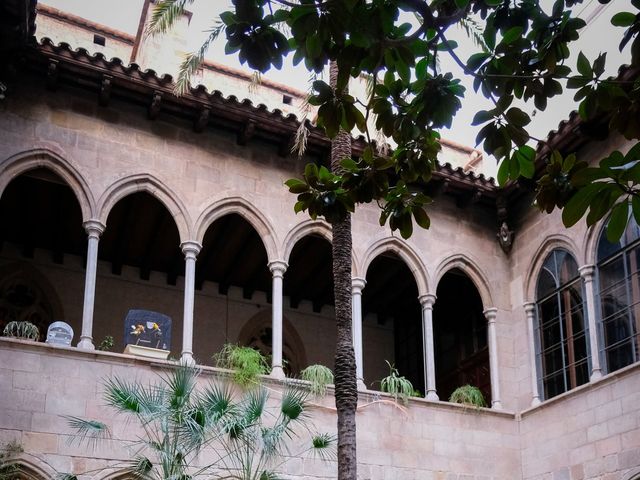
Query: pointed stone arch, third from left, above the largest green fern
248	212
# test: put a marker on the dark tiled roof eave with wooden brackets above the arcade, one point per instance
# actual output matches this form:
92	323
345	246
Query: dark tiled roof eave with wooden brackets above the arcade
130	82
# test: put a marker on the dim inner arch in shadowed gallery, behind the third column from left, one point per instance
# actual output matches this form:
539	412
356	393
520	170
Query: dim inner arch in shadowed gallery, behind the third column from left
292	344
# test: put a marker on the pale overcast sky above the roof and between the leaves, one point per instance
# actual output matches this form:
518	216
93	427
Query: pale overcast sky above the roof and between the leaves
598	36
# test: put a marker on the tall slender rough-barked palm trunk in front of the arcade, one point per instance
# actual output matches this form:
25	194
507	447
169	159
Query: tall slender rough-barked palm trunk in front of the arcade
345	364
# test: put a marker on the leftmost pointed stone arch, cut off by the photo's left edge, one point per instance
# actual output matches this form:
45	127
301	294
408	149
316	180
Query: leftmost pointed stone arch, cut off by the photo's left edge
44	158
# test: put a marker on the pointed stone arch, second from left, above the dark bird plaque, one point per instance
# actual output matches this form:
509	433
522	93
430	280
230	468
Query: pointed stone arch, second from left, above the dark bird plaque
145	182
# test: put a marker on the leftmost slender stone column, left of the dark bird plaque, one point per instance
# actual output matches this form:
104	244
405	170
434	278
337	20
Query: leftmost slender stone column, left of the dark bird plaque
94	229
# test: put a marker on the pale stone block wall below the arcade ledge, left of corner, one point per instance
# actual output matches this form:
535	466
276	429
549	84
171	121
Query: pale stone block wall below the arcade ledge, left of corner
41	384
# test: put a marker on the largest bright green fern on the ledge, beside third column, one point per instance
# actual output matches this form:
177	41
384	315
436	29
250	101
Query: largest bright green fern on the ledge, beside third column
247	363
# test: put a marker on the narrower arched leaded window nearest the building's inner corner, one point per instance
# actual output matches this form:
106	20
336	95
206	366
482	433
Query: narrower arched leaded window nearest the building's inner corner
562	356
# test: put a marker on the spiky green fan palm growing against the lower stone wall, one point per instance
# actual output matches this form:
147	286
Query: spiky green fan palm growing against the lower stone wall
178	420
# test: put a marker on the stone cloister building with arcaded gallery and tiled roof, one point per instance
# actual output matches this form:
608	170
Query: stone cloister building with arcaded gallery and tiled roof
116	195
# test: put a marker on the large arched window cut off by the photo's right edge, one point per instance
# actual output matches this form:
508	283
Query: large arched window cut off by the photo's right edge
619	295
